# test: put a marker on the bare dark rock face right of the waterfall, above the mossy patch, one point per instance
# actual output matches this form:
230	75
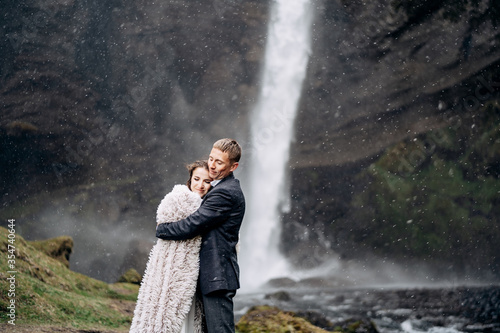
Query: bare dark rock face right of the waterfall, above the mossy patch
377	74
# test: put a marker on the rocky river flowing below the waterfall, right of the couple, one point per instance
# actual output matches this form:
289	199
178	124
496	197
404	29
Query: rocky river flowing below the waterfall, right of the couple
391	309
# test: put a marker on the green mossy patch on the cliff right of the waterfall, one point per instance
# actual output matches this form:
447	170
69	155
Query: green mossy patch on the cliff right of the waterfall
427	196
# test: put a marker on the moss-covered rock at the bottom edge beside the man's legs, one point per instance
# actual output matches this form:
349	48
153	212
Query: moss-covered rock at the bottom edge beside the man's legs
263	319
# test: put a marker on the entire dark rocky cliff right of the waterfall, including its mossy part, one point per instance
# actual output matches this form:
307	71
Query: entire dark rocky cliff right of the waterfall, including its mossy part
421	80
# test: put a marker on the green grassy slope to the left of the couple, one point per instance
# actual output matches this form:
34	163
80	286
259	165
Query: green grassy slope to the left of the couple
47	292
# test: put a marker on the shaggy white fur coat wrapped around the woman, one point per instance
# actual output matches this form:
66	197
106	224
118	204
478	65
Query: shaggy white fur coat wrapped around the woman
169	283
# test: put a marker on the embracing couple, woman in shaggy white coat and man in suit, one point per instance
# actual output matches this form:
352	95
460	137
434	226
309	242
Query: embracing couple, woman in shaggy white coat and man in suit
192	273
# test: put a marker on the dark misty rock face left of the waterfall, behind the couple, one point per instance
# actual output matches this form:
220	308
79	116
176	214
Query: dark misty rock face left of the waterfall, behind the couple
117	96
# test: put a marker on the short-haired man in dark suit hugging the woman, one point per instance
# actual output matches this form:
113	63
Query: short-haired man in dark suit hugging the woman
218	220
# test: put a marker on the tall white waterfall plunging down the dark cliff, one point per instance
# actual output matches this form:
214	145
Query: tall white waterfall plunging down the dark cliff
286	58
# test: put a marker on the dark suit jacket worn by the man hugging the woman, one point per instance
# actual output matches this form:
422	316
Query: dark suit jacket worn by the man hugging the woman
218	220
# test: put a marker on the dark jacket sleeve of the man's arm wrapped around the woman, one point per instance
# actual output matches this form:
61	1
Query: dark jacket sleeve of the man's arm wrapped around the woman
214	210
